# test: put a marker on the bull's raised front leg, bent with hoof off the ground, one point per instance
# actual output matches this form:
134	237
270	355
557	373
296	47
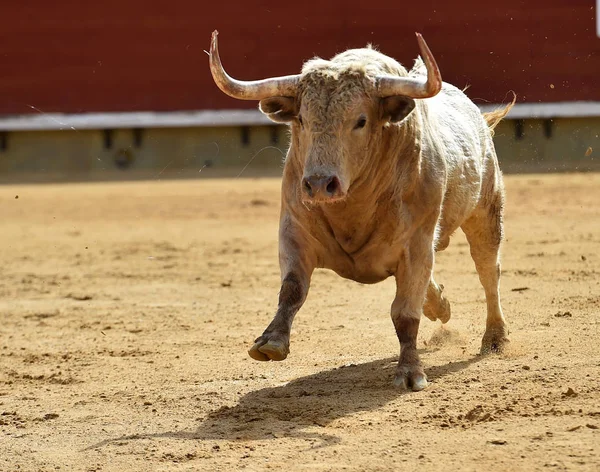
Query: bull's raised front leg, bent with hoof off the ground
296	271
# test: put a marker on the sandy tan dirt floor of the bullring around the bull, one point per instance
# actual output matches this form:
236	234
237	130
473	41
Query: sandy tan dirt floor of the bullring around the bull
126	310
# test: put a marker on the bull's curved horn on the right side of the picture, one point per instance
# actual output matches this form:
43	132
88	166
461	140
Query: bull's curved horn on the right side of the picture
412	86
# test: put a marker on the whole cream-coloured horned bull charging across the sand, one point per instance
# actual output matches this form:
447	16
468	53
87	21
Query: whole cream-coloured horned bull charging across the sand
384	165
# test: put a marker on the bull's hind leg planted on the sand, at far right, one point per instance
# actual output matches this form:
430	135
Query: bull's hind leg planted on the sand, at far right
484	233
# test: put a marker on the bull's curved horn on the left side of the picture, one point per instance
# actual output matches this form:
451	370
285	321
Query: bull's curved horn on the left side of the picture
252	90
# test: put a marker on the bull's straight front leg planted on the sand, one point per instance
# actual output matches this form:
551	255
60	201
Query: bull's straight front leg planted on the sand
412	279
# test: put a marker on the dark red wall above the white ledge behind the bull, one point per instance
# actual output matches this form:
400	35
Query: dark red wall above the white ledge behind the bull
73	56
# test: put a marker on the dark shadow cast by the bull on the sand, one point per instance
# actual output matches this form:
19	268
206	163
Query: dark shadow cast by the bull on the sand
313	400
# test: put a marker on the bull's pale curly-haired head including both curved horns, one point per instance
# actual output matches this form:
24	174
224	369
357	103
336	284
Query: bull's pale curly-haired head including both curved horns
337	111
